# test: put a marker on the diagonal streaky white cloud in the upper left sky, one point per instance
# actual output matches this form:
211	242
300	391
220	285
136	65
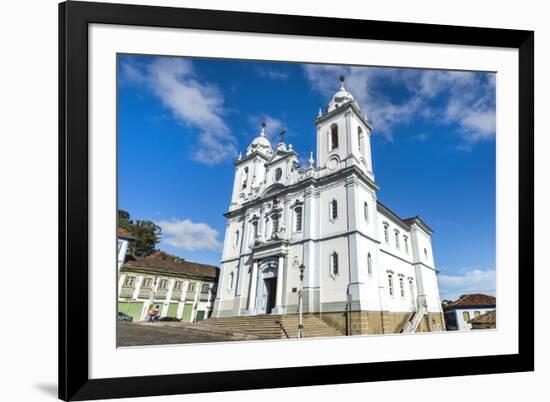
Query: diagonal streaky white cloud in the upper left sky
192	102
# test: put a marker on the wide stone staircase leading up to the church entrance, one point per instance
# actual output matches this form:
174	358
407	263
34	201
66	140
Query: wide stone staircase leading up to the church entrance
271	326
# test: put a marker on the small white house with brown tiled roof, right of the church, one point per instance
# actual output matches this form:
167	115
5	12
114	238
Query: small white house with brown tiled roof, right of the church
459	313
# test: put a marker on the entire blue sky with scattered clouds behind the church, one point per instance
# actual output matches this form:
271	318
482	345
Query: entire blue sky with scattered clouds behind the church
183	121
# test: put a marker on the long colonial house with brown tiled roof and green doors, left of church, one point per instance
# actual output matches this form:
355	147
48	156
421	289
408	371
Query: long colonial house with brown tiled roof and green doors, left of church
182	289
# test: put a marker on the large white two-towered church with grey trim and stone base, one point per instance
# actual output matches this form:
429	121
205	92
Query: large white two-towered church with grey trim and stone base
361	262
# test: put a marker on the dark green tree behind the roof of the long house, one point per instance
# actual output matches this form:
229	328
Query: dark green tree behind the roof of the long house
145	233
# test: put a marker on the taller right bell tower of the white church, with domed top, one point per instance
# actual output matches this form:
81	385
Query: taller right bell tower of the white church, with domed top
343	134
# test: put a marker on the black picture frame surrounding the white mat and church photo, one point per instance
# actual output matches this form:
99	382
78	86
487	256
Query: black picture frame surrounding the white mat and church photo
74	18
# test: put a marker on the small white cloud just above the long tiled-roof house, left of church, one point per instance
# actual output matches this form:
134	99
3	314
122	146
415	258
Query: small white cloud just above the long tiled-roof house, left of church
189	236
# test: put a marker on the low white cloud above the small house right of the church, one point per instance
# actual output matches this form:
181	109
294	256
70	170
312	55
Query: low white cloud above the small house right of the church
469	281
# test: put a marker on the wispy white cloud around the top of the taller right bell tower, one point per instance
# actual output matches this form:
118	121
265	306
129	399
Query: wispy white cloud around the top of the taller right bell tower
443	97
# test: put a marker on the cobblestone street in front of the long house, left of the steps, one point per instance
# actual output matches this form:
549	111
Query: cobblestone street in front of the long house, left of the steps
141	334
